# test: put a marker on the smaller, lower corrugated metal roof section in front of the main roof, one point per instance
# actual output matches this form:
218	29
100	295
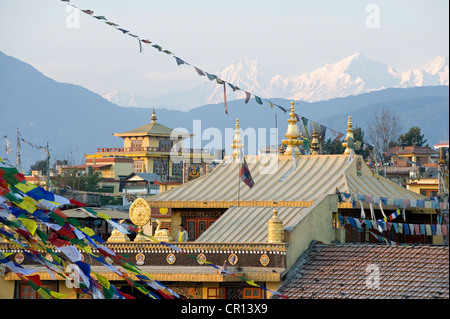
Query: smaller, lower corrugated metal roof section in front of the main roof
249	224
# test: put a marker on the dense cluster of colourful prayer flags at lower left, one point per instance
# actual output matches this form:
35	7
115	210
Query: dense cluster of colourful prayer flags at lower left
17	200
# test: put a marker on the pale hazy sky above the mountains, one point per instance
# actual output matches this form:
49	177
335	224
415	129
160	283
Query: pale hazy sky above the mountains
288	37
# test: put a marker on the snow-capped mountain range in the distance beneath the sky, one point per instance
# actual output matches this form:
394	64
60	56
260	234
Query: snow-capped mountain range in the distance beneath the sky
352	75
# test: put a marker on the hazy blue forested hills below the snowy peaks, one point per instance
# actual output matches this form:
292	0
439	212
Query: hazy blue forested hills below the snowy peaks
76	121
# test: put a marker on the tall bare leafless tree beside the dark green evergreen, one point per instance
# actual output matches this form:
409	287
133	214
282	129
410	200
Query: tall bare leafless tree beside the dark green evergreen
384	128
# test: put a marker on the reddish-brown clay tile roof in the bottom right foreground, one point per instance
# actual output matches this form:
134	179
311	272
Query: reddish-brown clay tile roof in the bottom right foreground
346	271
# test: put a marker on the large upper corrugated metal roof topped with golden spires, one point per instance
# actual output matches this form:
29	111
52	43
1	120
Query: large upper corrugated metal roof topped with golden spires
314	176
